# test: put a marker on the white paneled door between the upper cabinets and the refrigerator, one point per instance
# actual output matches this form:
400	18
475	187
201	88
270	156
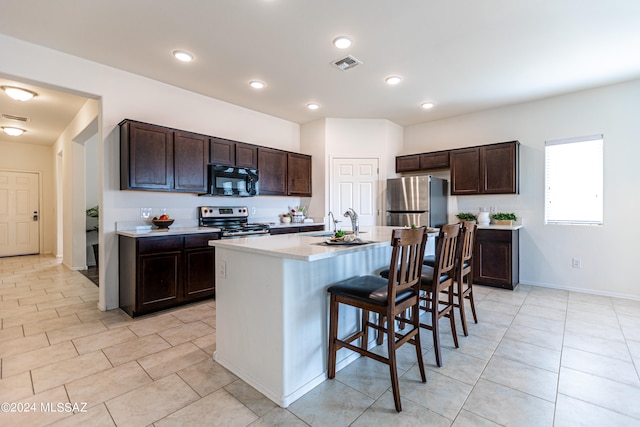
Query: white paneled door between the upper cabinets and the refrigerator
355	185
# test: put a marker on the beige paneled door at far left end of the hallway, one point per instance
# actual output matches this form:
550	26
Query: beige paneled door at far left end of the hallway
19	213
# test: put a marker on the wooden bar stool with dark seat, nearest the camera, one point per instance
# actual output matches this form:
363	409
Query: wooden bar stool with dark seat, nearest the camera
388	298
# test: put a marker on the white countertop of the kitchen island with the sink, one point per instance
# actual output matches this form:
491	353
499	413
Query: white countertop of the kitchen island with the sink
306	246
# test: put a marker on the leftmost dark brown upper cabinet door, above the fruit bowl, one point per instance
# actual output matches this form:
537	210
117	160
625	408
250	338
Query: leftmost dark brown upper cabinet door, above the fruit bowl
146	157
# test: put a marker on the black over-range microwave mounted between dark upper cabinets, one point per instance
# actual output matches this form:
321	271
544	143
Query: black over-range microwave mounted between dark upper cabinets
232	181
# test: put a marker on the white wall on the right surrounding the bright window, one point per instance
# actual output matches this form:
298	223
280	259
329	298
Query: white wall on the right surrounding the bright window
608	252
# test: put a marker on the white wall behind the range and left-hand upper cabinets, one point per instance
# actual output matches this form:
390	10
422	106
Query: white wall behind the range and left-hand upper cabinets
124	95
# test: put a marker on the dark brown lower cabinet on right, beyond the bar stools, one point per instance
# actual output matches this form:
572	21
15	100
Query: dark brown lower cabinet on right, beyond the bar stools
496	258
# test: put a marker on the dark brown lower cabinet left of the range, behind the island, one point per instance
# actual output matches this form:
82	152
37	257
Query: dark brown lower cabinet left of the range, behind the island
162	272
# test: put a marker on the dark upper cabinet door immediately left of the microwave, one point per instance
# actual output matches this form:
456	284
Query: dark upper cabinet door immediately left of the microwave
191	156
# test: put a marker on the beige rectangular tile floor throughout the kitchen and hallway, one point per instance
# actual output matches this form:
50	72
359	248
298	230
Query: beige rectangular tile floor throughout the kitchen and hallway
538	357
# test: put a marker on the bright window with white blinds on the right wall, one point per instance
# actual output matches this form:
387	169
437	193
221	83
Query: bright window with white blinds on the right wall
574	181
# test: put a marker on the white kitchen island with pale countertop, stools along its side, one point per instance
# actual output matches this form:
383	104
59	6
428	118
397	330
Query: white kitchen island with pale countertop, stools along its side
272	306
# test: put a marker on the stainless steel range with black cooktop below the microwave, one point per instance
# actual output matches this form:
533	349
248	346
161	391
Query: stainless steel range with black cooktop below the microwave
233	221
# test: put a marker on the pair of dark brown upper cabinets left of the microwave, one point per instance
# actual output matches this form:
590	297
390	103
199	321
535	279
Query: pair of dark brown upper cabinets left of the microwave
162	159
